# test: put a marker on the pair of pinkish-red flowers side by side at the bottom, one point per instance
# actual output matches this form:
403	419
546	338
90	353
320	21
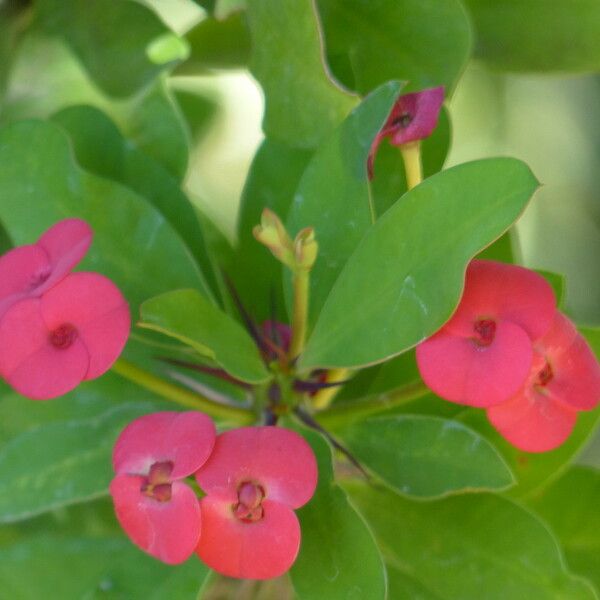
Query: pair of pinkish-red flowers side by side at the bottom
253	478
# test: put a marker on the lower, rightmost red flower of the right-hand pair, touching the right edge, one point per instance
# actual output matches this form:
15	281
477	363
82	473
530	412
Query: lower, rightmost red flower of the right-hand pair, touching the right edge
564	378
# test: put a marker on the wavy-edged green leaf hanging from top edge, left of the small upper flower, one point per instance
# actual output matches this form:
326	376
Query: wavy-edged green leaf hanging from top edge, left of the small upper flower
302	104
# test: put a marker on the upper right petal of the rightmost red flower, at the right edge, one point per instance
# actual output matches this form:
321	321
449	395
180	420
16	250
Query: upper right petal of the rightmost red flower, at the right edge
576	372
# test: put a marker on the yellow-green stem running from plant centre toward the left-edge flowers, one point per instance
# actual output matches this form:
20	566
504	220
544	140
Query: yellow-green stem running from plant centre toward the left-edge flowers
180	395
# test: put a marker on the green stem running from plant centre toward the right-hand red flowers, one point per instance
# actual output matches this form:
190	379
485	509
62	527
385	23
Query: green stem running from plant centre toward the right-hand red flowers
342	413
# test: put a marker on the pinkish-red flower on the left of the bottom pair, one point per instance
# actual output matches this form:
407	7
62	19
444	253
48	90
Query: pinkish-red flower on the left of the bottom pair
159	512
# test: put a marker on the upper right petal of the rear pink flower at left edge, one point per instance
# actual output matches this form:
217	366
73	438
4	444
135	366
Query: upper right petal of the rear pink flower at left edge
65	243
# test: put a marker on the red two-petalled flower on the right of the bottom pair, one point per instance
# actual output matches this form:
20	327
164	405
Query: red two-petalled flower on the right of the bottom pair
254	479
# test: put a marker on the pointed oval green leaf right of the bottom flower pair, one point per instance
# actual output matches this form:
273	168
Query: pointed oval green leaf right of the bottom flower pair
426	456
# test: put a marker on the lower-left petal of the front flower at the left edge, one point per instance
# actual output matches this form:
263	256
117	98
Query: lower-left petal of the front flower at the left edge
28	361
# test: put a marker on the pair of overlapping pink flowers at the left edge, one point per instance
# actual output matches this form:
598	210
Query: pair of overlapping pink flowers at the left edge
57	328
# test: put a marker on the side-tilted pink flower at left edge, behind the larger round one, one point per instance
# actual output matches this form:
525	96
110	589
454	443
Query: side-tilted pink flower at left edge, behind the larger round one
28	271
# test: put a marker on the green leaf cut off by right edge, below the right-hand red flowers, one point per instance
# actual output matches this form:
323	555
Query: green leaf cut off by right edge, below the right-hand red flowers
570	507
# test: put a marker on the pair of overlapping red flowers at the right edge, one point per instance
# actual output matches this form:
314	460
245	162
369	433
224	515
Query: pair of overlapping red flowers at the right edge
509	350
